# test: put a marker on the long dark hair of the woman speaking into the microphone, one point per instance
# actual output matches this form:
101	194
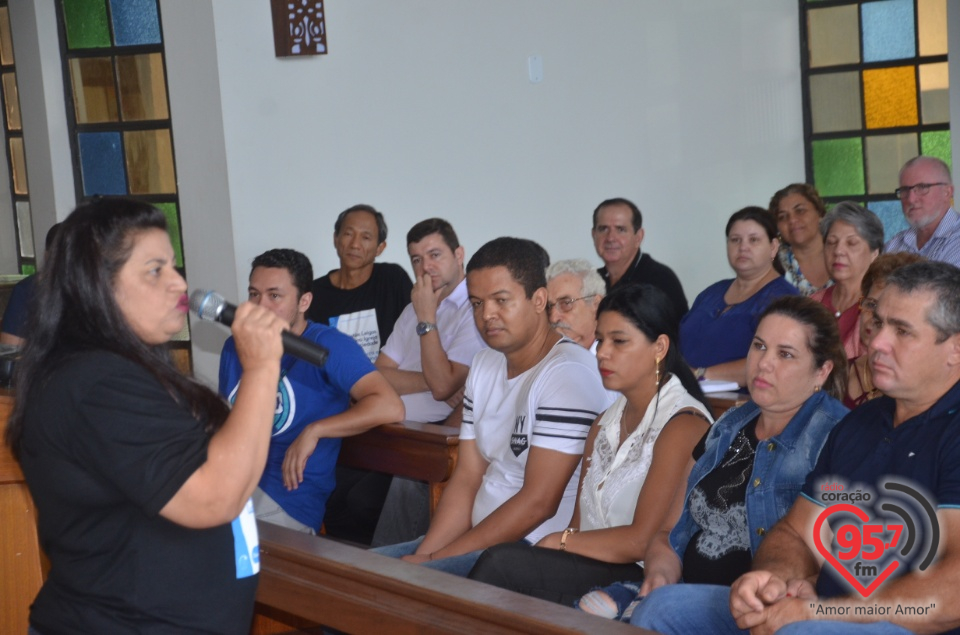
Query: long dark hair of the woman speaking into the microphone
74	309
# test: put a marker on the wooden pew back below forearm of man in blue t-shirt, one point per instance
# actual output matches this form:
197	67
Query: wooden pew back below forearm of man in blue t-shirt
422	451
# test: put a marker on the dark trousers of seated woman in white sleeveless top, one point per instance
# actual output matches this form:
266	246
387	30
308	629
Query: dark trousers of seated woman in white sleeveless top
548	574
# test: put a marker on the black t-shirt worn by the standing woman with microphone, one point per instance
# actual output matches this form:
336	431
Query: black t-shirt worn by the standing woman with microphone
105	448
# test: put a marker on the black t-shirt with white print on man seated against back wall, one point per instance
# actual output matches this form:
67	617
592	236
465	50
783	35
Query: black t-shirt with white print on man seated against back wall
386	294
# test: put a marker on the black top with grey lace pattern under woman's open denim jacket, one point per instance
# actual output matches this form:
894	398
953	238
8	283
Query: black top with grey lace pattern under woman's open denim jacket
720	552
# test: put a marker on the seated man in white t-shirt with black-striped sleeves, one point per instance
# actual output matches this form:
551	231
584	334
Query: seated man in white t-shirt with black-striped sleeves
529	402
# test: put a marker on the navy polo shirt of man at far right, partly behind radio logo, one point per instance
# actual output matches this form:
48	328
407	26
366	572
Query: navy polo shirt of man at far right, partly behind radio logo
865	450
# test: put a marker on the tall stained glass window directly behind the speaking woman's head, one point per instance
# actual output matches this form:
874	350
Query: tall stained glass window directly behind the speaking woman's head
118	110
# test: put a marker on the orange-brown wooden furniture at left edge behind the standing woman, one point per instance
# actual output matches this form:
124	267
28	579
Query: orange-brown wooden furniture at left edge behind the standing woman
22	567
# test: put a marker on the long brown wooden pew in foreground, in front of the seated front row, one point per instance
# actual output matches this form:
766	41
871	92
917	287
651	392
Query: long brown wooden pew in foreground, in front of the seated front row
313	580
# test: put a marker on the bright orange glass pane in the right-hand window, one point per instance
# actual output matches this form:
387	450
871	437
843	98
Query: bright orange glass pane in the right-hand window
890	97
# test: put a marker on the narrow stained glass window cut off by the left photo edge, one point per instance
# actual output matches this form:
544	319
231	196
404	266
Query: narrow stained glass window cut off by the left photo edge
14	149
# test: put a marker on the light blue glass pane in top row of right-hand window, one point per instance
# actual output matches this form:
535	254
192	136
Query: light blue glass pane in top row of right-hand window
888	32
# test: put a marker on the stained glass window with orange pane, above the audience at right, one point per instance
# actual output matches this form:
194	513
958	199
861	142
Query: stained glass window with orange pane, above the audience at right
876	88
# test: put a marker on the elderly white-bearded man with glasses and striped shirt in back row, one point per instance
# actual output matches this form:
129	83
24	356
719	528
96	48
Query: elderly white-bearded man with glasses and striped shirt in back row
926	193
